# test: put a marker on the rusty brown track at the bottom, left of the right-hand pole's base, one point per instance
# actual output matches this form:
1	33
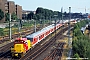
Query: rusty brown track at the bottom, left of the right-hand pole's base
56	54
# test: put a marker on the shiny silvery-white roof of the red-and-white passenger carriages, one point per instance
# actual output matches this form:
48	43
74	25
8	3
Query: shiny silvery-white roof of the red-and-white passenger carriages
41	31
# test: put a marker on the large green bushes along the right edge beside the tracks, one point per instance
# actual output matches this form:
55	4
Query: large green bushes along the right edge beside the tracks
81	43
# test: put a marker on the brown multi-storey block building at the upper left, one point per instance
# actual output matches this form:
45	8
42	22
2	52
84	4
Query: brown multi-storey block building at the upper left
10	7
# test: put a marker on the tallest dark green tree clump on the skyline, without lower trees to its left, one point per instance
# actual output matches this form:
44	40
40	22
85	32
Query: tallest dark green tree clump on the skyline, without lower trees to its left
42	13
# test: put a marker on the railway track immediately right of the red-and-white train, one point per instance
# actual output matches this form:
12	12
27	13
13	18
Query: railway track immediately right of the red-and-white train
32	54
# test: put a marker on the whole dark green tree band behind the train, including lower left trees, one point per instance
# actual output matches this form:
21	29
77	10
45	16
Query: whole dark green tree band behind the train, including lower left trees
43	13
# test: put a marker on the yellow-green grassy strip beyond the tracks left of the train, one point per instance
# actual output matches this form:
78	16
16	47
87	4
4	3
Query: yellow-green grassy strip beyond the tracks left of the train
27	25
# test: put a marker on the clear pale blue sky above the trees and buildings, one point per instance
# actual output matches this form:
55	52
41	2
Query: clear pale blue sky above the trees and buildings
55	5
